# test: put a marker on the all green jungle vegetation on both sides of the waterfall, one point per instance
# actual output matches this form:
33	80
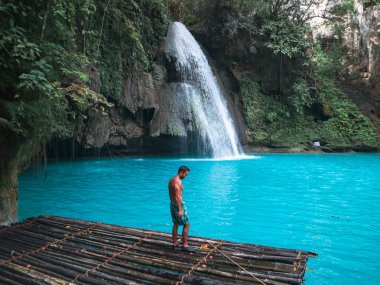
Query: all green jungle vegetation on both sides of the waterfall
50	48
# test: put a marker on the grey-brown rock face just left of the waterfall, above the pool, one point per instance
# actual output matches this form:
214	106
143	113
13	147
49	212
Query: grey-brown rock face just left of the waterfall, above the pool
129	119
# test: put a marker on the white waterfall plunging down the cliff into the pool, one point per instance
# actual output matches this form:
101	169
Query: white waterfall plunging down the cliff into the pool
200	86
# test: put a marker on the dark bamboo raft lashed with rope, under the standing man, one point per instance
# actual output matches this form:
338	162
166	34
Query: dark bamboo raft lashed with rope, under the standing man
56	250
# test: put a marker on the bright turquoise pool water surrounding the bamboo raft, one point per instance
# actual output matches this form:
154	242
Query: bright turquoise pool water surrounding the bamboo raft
327	204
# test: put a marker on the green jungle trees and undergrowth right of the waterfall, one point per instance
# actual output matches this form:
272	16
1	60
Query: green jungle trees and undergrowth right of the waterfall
289	81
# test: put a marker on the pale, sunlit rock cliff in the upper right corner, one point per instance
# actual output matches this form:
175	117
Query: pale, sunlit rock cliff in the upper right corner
361	39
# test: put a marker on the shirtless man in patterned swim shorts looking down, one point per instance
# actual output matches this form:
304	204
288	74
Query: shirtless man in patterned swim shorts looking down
178	209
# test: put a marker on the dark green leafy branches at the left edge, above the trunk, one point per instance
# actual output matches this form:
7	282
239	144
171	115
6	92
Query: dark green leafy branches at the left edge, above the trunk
24	82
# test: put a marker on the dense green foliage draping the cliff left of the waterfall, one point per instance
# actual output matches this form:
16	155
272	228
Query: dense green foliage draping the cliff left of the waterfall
46	48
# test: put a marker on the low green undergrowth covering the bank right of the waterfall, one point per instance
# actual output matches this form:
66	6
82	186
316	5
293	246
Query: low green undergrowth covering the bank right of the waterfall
270	121
